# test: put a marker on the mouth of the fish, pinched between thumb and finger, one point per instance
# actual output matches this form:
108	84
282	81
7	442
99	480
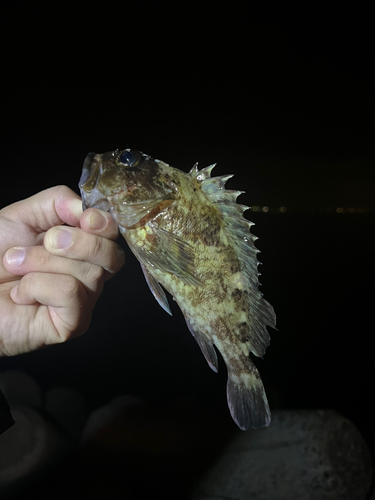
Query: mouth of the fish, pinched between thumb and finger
91	196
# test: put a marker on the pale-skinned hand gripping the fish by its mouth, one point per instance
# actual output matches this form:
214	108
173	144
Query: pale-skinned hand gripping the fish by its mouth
48	297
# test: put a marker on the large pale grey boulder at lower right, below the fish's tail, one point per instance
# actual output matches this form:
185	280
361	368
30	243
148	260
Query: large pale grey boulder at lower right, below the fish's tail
307	454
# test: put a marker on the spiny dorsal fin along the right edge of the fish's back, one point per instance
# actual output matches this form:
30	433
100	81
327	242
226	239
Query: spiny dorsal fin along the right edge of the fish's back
242	240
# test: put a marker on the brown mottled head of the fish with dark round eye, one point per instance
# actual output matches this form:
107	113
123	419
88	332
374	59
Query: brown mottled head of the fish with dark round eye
126	182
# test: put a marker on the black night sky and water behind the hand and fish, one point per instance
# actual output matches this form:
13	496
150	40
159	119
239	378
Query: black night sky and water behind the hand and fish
285	101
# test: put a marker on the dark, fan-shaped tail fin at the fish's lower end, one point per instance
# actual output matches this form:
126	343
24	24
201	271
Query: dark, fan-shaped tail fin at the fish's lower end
247	399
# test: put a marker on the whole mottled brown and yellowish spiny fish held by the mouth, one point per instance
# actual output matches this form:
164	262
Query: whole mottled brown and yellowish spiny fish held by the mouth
190	236
